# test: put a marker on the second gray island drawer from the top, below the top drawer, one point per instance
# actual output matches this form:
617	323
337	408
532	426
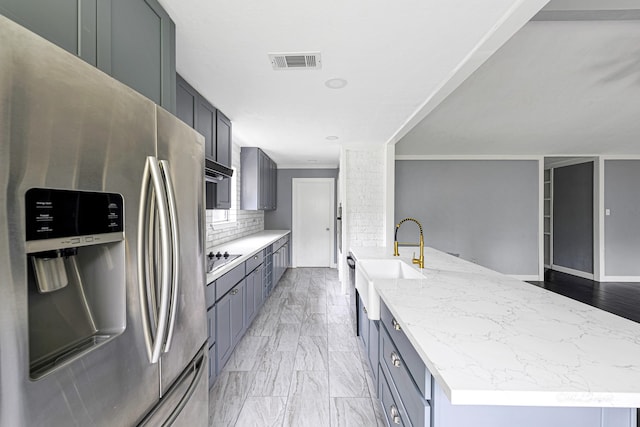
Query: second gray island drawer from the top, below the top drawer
415	405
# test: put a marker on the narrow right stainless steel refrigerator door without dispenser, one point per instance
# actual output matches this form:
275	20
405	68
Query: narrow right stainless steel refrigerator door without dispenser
182	151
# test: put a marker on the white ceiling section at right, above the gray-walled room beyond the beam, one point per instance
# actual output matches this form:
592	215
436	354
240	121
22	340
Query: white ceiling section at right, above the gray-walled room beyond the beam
555	88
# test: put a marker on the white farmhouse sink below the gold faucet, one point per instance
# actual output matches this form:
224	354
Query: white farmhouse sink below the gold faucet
370	271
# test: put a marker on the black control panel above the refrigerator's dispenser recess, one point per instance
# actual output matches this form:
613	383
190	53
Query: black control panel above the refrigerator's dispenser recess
77	217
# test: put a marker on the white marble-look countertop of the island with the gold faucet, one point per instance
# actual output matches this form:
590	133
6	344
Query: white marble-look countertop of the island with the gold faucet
489	339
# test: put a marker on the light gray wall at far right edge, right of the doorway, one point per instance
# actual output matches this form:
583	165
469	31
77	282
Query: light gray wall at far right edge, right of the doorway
622	227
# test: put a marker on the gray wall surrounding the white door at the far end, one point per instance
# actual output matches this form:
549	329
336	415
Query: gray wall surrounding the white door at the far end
280	219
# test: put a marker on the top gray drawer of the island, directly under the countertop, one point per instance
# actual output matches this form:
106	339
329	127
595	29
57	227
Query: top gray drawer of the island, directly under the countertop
412	360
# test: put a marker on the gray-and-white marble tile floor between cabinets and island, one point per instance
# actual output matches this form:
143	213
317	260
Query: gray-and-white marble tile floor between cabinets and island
299	363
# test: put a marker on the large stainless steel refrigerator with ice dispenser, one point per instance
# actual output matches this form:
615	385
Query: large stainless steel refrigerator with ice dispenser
102	313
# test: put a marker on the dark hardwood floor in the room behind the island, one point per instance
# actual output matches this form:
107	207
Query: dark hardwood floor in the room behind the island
622	299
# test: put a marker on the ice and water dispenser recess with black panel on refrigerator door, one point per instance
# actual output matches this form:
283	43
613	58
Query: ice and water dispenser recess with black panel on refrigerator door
77	274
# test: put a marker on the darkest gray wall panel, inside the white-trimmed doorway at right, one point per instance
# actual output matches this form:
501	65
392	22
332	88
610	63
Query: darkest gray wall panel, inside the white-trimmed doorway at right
573	217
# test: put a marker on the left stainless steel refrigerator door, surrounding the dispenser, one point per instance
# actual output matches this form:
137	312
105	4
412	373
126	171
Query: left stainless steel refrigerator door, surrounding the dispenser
66	125
